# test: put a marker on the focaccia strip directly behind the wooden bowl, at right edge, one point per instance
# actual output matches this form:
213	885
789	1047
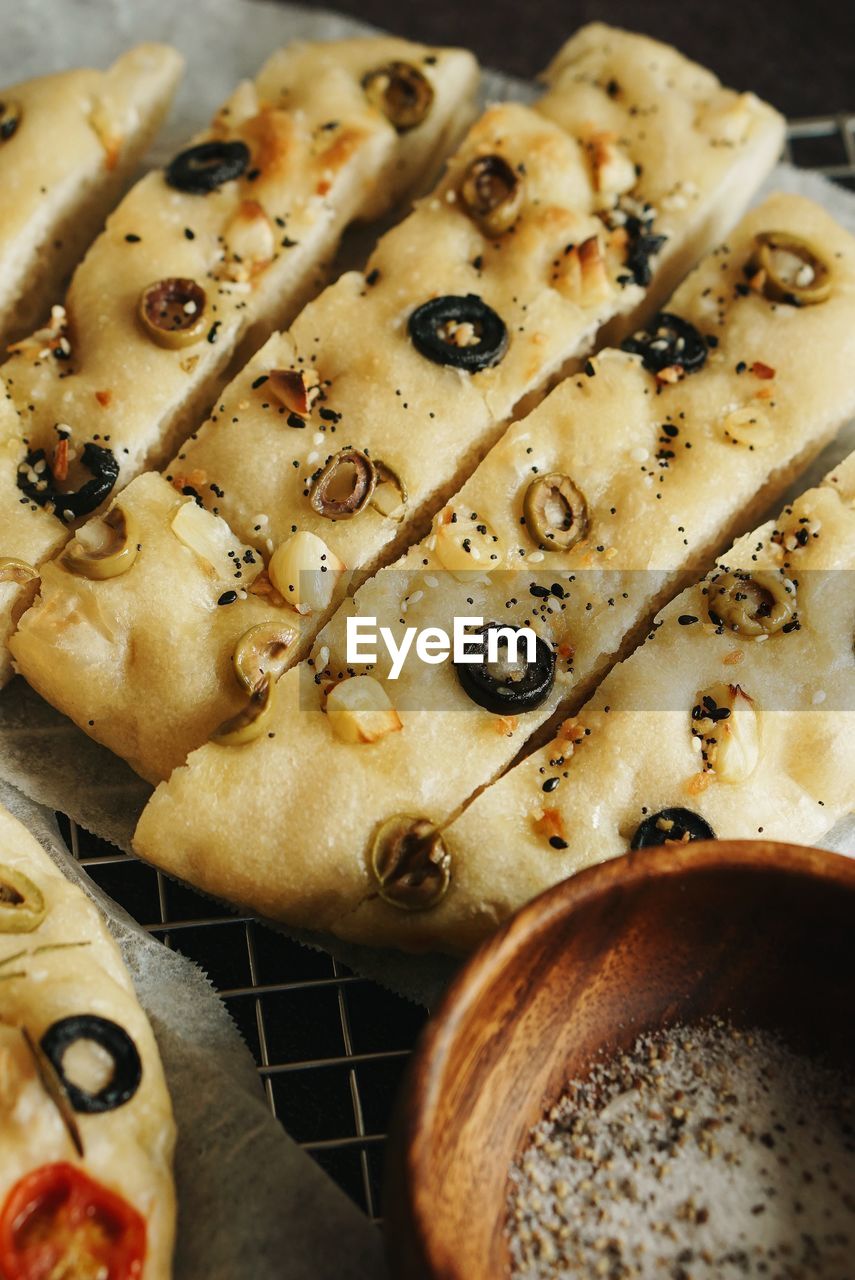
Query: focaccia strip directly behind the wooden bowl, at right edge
735	720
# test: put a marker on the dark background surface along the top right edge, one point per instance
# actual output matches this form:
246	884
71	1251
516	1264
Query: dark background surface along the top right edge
799	54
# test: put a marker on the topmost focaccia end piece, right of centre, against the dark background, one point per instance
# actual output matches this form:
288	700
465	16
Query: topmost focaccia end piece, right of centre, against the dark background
607	85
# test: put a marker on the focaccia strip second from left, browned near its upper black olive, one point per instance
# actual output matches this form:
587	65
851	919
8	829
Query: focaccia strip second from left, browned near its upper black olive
213	254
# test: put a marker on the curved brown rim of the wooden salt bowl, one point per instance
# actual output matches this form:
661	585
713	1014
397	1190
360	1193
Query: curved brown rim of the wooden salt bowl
418	1105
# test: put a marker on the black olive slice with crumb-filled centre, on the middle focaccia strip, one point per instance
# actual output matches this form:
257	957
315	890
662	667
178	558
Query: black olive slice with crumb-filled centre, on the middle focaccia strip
461	332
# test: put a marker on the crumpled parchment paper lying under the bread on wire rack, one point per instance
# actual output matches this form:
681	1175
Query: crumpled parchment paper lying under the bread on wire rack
295	1213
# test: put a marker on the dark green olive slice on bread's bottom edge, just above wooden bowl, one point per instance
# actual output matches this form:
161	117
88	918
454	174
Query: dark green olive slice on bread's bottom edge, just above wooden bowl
410	863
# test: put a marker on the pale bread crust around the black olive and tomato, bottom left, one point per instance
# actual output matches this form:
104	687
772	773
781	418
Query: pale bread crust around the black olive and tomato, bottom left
74	967
